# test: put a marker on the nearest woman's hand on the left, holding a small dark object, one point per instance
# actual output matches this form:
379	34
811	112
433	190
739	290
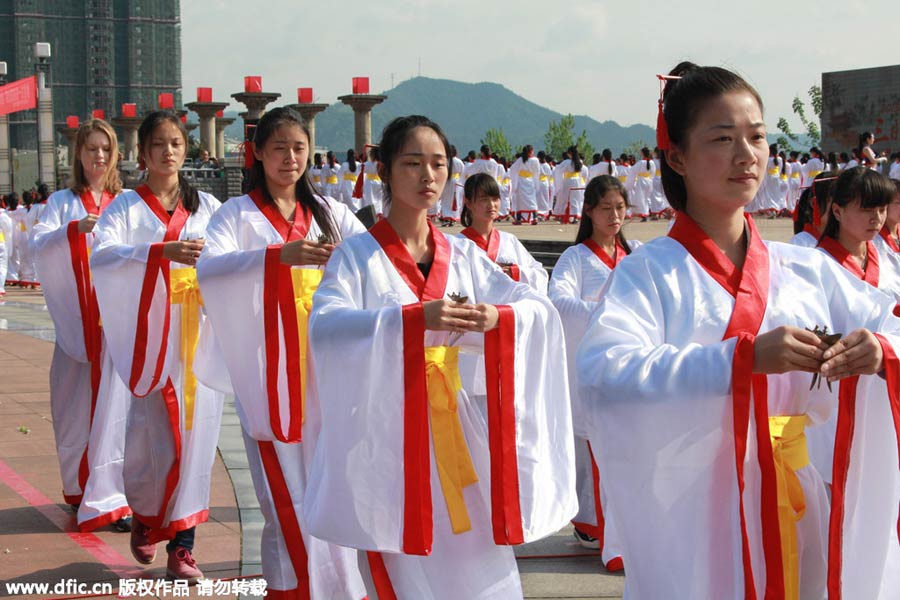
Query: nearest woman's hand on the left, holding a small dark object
786	349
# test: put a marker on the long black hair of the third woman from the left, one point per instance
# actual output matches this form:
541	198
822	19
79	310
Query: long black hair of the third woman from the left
304	191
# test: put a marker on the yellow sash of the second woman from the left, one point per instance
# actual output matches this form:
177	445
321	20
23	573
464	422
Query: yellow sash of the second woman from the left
186	292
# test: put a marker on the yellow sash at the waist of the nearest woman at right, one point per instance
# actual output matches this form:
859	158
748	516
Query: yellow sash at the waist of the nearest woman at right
790	453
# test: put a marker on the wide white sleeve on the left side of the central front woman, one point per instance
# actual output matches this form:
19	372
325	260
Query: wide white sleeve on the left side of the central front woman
360	396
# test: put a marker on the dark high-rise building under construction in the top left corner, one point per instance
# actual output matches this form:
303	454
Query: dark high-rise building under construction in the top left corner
104	53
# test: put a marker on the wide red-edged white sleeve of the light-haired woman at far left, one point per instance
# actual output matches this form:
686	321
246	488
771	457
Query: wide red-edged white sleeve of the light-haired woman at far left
56	245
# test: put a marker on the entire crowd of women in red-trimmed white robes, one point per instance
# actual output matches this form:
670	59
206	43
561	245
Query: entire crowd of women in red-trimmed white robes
653	395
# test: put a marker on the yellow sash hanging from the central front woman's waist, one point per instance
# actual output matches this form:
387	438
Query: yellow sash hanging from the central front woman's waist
451	454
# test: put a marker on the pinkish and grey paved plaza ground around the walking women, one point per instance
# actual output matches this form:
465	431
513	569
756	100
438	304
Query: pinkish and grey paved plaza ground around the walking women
39	541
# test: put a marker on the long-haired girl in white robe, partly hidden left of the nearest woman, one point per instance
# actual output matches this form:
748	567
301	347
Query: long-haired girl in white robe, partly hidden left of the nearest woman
575	290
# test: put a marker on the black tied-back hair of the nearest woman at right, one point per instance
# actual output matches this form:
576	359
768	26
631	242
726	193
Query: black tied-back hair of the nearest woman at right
683	100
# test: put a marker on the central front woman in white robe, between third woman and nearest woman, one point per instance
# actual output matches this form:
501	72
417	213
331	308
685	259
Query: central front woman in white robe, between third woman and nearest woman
434	524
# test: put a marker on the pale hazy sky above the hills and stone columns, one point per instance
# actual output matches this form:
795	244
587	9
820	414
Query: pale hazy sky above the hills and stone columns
596	58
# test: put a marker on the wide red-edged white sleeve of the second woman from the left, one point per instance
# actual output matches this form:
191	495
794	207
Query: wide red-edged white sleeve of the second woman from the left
126	275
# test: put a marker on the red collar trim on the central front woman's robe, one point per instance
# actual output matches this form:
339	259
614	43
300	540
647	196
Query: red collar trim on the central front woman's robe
432	288
